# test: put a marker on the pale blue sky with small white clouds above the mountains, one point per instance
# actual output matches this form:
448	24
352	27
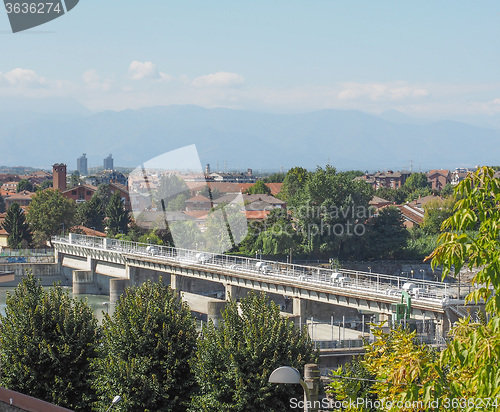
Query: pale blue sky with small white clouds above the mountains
424	58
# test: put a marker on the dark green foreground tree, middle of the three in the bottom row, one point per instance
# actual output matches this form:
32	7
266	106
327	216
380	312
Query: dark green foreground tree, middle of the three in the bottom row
148	343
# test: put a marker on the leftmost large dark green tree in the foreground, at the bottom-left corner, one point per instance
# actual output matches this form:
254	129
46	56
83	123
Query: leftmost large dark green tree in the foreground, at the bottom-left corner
47	344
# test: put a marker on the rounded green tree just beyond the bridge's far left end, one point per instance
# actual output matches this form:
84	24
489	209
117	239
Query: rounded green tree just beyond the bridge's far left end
49	214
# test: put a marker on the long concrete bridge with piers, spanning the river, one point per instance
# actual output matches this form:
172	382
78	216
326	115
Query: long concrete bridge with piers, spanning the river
197	274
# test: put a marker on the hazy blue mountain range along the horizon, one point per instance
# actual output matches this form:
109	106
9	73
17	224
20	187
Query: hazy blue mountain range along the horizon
240	139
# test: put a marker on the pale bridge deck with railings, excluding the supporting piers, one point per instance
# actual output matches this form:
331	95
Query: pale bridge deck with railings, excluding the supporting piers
386	288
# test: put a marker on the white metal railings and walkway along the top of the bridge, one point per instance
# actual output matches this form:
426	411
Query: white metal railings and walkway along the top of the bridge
374	284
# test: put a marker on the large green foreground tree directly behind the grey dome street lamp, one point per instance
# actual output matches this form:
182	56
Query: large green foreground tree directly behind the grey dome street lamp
234	360
